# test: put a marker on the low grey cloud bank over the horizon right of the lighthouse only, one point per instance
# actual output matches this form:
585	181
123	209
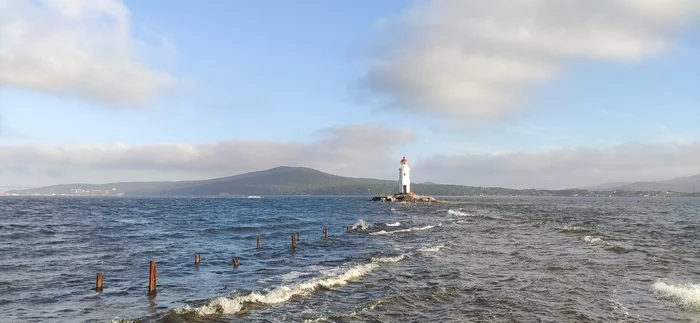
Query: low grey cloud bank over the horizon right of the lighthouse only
565	168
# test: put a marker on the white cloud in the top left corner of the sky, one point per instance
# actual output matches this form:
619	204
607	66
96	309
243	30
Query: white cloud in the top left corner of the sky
79	48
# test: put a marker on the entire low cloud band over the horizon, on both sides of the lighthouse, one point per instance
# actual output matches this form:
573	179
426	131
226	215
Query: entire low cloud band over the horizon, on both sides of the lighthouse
351	151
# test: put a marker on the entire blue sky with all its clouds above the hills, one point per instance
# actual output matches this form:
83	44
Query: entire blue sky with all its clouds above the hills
522	94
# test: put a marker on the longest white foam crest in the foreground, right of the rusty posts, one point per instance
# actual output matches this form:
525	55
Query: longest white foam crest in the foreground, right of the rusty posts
280	294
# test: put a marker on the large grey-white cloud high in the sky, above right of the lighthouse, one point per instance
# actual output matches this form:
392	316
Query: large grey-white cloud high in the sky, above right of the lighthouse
480	58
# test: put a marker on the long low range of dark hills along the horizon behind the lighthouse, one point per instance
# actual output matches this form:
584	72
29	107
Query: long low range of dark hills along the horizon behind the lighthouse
302	181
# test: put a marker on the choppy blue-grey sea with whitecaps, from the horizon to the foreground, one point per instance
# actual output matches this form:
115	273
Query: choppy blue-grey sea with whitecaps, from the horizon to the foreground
471	259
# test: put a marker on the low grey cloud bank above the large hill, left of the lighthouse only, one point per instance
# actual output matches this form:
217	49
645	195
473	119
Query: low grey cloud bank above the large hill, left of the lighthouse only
344	150
